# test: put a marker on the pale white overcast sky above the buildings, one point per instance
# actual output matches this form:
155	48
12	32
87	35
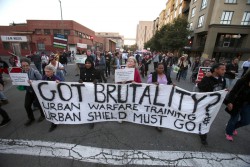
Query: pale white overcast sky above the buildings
120	16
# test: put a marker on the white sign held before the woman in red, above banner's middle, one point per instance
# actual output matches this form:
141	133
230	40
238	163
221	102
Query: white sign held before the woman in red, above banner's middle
125	74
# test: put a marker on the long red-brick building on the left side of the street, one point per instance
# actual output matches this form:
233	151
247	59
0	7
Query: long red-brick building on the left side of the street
44	35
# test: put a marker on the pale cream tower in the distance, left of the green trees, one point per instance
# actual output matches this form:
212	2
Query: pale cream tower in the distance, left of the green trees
144	33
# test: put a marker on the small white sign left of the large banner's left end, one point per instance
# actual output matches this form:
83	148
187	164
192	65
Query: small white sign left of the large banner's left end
19	79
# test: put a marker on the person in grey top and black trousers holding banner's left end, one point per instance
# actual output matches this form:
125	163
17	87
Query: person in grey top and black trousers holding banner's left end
30	95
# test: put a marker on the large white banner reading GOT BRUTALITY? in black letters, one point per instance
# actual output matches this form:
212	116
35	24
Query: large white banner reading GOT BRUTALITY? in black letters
154	105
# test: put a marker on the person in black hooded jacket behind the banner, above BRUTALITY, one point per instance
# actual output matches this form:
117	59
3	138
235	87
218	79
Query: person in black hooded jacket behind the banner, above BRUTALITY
89	74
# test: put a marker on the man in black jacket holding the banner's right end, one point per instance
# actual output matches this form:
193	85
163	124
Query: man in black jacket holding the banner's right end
214	82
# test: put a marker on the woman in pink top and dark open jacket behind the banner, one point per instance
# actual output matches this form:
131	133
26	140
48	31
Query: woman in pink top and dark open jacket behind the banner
159	77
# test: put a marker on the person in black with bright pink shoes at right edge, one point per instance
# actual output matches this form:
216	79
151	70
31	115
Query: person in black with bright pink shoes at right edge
238	106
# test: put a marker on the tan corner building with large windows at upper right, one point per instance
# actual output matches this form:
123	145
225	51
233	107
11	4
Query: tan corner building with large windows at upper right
220	29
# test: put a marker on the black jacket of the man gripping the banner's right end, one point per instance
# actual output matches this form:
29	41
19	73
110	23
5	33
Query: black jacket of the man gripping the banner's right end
211	84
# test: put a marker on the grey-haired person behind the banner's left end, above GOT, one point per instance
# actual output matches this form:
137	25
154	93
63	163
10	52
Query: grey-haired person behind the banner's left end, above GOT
50	76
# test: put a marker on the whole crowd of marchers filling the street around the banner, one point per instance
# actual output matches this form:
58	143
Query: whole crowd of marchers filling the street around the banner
99	66
